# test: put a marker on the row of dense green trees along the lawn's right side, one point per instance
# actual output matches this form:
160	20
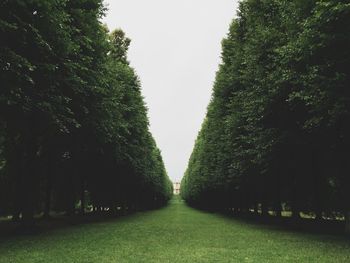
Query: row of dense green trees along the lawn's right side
277	131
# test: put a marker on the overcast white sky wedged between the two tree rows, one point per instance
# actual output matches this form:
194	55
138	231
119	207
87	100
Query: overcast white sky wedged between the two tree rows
175	49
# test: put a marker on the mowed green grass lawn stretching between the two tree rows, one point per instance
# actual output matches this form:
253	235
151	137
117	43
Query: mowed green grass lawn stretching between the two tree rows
176	233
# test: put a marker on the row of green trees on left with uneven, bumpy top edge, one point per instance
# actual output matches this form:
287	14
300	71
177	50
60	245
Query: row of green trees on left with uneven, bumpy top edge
74	130
